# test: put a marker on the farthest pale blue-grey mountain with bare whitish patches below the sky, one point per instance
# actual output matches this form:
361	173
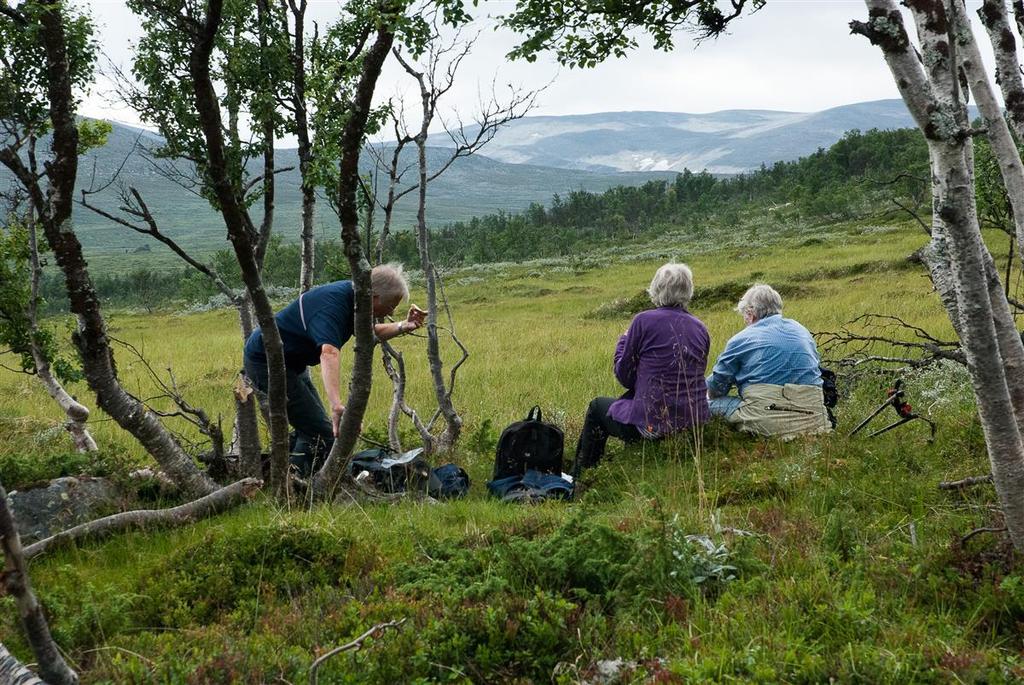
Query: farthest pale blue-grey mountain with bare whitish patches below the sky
723	143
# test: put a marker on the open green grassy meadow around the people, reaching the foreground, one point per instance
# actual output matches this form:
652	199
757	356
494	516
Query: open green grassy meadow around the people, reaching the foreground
713	558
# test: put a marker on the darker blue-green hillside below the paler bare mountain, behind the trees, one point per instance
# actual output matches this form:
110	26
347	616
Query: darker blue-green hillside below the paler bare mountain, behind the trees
474	186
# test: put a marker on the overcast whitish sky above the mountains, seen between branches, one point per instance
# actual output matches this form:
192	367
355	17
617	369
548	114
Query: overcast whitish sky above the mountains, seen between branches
794	56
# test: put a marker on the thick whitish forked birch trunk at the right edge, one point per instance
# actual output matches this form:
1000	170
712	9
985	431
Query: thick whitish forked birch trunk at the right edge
979	312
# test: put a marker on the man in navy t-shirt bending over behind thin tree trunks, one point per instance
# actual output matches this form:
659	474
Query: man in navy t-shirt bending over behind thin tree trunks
314	328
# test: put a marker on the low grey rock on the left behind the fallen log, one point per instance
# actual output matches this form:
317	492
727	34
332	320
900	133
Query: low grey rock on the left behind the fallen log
61	504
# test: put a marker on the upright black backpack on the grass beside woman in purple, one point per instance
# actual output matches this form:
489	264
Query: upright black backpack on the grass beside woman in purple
530	445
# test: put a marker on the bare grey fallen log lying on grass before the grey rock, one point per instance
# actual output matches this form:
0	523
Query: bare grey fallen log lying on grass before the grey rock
215	503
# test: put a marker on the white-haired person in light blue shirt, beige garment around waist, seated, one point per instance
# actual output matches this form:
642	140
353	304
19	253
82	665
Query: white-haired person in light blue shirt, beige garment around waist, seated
776	368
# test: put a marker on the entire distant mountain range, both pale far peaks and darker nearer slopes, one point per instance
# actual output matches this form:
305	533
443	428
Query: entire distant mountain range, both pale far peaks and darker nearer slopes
528	162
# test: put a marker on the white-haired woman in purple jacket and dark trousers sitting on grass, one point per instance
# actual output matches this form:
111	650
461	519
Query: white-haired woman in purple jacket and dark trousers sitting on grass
661	361
